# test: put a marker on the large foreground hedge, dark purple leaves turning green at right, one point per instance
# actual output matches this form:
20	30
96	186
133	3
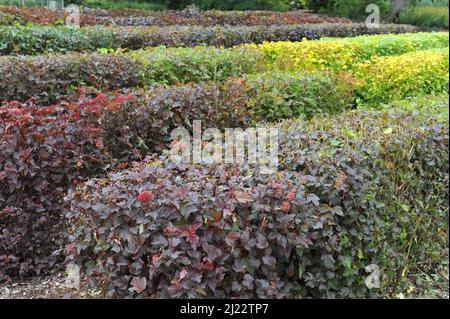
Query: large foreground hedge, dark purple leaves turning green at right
364	188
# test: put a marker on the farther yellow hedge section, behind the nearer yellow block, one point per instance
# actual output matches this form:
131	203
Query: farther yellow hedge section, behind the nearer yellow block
347	53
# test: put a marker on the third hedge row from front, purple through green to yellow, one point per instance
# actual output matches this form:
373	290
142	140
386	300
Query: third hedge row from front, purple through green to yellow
49	77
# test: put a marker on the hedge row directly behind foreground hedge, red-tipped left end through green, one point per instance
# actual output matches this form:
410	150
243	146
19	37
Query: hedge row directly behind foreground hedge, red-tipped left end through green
46	150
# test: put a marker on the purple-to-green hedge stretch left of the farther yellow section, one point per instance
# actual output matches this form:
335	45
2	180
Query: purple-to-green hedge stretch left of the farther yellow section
52	77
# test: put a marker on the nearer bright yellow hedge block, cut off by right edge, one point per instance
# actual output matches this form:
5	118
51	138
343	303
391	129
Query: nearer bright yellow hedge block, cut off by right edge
385	79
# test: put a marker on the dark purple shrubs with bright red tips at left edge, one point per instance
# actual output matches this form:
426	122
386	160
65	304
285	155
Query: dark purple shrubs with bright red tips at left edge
45	150
